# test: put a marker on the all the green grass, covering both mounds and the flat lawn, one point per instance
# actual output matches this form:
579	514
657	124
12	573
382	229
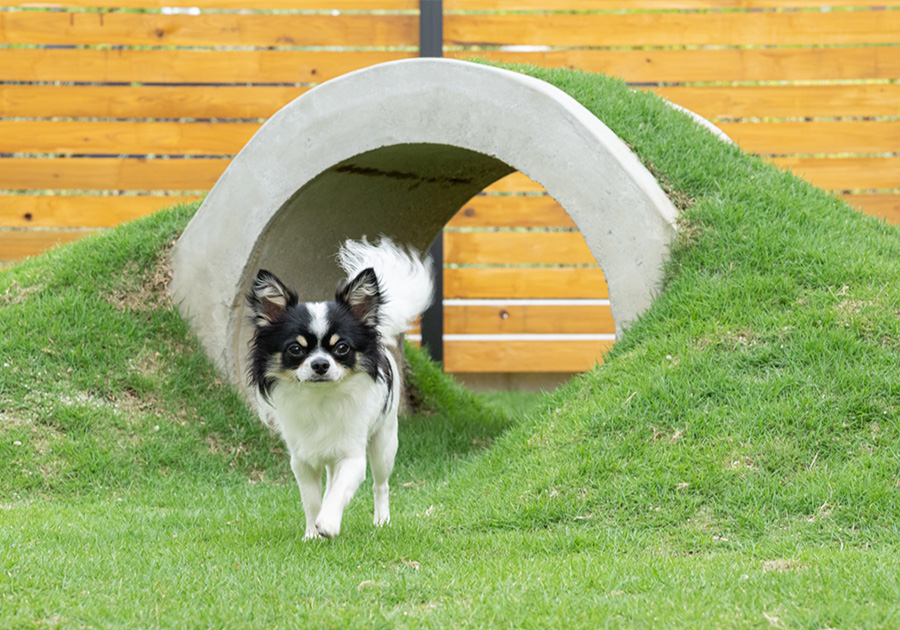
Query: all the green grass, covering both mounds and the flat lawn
735	463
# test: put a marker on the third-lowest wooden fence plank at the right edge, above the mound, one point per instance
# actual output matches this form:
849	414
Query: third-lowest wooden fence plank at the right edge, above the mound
816	137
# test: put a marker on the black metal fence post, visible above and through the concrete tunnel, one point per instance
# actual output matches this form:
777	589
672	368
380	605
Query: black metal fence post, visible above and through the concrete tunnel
431	44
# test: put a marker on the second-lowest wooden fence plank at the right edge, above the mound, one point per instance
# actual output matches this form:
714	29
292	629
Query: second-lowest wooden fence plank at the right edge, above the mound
845	173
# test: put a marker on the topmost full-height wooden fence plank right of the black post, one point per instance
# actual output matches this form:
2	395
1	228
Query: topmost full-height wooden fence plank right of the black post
673	29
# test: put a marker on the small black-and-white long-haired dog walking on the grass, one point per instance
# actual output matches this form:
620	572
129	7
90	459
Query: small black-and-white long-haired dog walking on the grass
324	375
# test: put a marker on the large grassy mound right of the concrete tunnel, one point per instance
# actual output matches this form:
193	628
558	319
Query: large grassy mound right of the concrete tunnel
761	391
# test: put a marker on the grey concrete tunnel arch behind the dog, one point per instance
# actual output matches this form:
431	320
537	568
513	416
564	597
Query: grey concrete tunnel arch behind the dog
397	149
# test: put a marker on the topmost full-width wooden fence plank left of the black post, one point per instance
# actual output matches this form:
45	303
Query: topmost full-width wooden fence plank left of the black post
212	29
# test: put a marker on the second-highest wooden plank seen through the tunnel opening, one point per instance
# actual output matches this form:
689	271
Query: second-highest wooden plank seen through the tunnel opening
511	211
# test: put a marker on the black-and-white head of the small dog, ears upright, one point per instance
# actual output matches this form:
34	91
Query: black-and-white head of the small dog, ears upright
313	343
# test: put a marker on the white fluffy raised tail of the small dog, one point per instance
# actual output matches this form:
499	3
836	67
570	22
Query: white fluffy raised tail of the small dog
404	279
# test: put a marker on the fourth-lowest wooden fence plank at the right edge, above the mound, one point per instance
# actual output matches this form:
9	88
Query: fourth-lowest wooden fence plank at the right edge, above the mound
783	101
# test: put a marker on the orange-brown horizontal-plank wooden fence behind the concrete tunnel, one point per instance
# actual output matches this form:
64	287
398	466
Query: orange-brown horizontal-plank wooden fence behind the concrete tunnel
110	109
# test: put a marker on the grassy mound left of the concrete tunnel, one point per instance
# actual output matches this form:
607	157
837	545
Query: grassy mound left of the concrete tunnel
101	384
